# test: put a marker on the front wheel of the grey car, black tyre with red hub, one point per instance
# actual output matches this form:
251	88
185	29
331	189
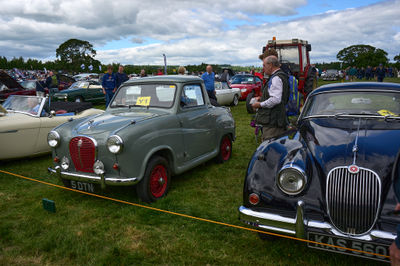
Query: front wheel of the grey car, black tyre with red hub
156	180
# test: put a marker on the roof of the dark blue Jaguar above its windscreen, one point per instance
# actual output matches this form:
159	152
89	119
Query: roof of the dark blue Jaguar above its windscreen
357	86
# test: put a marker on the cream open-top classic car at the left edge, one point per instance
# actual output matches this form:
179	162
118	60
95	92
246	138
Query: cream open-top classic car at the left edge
25	122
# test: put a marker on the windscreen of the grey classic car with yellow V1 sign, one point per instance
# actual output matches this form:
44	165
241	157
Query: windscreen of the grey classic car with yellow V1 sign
151	95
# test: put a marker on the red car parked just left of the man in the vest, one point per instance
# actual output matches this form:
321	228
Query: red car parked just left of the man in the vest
247	84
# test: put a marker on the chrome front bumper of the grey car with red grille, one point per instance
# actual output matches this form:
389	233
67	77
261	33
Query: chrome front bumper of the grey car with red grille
96	179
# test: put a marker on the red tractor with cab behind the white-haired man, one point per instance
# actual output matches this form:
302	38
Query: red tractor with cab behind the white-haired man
294	56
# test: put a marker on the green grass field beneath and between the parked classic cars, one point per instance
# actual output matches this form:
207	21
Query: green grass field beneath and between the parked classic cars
86	230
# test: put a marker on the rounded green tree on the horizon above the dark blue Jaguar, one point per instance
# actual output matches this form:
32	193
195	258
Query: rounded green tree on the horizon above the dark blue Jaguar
362	55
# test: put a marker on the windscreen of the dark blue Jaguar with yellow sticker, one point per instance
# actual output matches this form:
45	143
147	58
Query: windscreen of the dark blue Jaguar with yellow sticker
354	102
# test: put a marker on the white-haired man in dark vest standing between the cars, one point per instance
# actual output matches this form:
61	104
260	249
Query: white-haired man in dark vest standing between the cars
271	111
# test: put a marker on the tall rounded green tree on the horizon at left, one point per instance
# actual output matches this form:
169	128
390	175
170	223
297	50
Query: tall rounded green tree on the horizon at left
73	53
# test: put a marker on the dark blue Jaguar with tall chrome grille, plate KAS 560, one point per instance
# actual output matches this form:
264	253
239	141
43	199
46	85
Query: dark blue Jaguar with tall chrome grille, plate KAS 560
332	179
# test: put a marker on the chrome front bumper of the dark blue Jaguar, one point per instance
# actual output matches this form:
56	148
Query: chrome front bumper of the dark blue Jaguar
298	226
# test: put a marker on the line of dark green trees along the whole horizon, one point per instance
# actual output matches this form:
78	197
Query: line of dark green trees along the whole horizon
75	56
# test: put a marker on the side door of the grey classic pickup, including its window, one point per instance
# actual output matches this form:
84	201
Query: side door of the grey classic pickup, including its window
197	121
